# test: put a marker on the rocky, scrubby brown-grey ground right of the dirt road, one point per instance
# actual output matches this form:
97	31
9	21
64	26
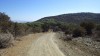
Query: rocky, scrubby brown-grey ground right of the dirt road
81	46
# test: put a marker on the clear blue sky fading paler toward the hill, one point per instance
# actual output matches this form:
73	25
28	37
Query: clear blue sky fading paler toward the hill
32	10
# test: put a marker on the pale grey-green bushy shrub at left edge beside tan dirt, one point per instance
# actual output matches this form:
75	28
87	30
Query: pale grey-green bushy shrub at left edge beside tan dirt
6	40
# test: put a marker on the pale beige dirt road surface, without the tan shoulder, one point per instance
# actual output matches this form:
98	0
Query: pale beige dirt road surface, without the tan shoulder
44	46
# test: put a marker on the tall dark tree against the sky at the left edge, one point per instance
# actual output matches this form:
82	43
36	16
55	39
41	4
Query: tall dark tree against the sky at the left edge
5	22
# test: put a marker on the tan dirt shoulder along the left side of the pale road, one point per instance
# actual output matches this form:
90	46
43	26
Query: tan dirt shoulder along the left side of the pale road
20	47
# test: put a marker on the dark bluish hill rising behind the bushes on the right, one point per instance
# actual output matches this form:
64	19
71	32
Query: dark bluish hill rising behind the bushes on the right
74	17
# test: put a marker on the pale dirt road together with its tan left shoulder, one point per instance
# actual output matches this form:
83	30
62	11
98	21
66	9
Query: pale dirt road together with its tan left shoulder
40	44
